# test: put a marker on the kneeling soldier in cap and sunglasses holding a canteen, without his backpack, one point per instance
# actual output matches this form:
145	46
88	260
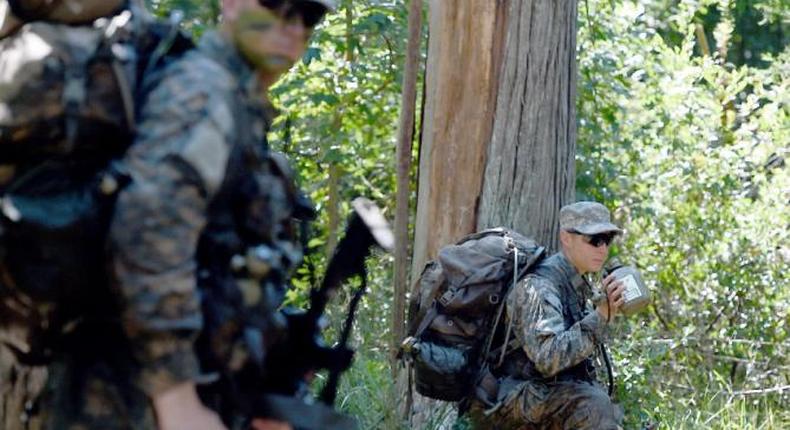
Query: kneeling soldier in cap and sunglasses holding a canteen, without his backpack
548	380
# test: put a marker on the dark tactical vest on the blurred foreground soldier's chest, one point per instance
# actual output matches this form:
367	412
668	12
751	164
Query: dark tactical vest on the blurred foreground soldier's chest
248	248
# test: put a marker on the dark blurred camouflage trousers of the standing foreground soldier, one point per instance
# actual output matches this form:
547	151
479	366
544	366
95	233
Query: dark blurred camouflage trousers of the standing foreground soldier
88	387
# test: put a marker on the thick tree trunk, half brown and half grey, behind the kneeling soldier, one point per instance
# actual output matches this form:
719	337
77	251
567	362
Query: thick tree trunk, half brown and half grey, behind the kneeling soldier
498	136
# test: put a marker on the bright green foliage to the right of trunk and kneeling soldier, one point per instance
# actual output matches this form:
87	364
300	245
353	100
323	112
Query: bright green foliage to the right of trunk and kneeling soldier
692	150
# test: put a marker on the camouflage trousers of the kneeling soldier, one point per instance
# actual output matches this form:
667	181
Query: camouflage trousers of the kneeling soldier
567	405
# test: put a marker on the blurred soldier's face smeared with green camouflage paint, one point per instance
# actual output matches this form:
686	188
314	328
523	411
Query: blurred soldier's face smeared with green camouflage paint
270	40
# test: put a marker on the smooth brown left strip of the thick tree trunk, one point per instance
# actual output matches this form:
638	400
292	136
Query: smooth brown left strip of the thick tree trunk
461	82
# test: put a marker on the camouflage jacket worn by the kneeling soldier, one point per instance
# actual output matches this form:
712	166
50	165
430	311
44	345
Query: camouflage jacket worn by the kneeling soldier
553	321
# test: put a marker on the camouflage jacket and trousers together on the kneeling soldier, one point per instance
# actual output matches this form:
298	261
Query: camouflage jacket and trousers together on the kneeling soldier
549	382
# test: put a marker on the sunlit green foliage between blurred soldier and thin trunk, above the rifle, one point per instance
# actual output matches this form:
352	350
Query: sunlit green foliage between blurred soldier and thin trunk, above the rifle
340	105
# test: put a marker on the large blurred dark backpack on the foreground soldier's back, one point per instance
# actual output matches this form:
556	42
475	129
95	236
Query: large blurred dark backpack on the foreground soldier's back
70	75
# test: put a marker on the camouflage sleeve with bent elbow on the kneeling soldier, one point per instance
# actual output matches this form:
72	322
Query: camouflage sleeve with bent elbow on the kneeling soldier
536	312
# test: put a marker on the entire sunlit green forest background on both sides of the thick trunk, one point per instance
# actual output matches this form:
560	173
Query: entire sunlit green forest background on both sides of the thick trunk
683	129
